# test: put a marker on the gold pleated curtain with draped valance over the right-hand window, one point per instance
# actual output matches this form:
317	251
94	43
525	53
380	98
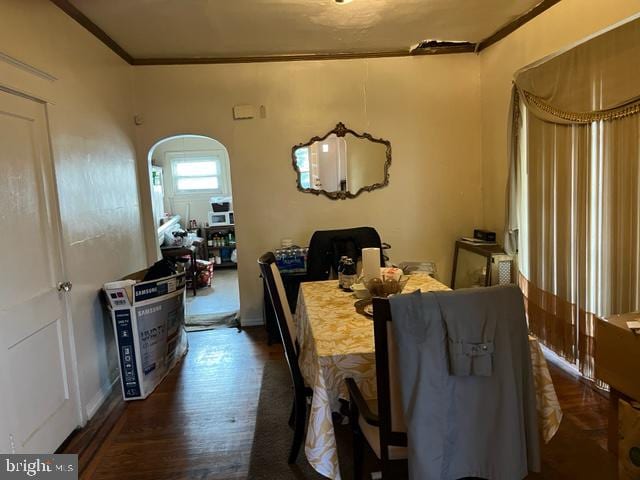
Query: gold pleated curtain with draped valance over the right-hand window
573	211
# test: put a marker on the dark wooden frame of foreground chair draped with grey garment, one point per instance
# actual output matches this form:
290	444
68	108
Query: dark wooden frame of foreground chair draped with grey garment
380	422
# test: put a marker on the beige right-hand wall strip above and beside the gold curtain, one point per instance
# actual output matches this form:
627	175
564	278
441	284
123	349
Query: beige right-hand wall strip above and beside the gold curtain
563	25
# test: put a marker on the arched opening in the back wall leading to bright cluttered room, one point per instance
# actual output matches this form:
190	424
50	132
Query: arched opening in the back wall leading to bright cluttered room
190	183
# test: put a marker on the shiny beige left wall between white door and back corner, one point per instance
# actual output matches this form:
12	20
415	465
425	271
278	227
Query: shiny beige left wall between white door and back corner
92	134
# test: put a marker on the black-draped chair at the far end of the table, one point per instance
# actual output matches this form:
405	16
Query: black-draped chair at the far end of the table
327	246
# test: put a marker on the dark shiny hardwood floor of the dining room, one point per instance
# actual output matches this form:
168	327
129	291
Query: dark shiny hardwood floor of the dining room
199	422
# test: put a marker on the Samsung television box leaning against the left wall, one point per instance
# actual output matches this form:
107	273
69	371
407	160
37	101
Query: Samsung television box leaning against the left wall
148	321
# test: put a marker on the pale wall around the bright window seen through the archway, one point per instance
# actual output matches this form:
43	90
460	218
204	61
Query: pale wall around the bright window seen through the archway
196	205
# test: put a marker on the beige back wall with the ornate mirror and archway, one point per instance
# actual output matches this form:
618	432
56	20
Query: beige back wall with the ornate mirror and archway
428	107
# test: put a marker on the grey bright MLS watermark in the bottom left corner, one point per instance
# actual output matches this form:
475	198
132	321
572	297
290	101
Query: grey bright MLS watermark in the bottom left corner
52	467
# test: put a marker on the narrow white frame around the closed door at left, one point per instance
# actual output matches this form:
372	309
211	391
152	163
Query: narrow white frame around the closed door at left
56	220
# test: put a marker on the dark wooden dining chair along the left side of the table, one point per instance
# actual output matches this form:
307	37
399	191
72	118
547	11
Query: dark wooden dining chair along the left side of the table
286	326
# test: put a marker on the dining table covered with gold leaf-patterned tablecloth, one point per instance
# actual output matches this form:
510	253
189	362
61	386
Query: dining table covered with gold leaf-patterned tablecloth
336	342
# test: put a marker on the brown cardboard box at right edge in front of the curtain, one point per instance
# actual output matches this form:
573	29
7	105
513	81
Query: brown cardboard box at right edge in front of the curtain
617	359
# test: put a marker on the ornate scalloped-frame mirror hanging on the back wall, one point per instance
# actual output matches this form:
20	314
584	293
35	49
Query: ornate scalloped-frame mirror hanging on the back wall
342	164
